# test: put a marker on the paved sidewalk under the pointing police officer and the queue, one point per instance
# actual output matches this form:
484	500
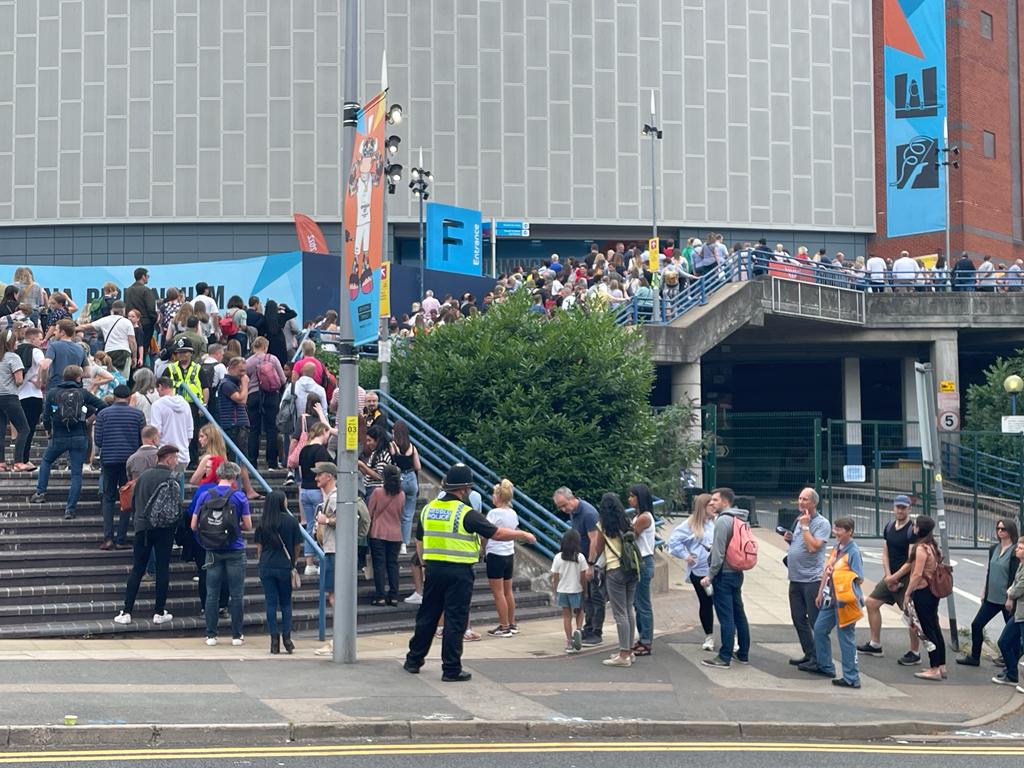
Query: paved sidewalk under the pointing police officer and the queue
156	691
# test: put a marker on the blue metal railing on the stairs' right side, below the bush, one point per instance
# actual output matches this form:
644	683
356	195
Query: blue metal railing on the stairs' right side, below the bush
438	454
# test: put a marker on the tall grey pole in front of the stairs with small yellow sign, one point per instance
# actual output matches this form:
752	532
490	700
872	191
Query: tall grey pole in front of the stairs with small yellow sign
345	573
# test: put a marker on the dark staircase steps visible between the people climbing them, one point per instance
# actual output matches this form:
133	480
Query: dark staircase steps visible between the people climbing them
56	582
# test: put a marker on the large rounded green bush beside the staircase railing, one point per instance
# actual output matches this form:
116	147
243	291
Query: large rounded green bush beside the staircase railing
546	403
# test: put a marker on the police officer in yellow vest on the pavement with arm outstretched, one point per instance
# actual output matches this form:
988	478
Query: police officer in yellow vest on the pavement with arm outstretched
449	542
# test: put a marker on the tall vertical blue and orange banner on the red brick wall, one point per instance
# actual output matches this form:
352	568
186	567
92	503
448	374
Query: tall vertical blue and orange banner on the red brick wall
916	112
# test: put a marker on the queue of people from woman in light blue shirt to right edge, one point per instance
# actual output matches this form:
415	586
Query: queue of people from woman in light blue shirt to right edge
826	593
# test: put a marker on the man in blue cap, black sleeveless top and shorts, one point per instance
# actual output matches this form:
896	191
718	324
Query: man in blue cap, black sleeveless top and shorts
895	574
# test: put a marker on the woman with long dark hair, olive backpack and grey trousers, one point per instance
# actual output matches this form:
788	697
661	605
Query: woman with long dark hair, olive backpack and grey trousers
613	524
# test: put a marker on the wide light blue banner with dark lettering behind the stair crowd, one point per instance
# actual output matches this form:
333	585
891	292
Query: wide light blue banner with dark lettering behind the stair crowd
278	277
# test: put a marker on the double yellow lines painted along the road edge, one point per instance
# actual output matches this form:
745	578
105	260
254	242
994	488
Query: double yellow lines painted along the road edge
400	750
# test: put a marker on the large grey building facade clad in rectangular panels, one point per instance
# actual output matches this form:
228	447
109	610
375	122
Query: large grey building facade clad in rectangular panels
184	115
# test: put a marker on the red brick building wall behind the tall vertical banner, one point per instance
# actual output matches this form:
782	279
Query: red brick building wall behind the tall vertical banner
985	208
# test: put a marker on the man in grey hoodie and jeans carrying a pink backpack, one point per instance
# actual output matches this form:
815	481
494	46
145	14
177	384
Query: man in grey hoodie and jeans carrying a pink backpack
729	584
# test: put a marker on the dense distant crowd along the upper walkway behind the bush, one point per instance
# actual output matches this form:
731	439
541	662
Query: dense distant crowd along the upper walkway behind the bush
622	277
